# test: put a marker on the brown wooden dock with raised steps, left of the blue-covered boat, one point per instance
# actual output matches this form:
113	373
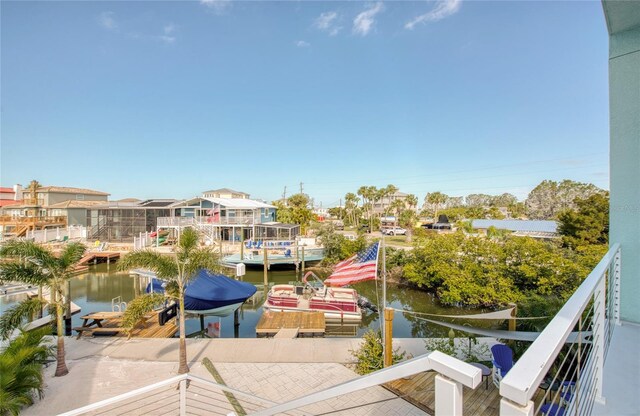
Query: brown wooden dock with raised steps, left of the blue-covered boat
111	324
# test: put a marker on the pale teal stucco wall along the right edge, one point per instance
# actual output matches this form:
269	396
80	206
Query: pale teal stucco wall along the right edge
624	90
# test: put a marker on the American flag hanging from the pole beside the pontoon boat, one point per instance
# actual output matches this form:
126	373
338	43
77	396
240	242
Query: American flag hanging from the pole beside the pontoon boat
363	266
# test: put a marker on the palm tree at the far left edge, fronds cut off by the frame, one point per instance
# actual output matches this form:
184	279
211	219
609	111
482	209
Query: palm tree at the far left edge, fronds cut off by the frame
32	264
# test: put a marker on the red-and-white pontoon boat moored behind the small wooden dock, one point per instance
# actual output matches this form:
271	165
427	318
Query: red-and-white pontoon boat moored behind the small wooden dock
337	304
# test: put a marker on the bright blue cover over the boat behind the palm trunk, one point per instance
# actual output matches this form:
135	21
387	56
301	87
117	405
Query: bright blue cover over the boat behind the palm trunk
209	291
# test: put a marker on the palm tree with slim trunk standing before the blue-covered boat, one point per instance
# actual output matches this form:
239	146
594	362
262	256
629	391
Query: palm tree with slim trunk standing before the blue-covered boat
179	267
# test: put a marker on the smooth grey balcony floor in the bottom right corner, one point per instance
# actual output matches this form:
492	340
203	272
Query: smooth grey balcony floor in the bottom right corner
621	387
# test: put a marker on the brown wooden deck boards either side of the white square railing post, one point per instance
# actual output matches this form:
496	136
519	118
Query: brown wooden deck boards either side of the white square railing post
420	391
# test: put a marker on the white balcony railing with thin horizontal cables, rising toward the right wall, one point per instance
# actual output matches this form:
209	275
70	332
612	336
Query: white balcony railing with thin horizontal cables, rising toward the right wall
568	365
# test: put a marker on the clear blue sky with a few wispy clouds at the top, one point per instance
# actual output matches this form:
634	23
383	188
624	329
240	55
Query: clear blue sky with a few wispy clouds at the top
168	99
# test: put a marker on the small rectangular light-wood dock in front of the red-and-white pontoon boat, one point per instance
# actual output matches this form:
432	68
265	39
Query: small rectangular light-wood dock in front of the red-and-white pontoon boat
291	324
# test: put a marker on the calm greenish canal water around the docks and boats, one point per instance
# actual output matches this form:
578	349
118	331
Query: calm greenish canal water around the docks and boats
93	292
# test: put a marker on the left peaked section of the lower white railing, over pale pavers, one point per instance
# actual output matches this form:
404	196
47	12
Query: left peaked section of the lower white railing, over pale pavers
183	394
